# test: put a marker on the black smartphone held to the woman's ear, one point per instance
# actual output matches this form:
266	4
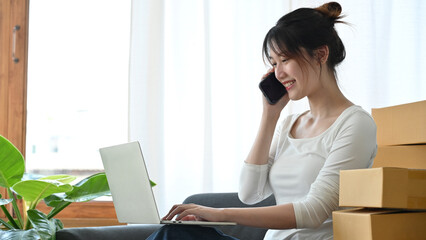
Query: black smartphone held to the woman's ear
273	89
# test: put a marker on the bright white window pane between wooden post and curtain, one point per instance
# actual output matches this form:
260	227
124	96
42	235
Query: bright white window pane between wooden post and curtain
77	99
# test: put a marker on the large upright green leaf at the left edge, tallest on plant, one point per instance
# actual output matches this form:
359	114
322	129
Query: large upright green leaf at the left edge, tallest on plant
12	165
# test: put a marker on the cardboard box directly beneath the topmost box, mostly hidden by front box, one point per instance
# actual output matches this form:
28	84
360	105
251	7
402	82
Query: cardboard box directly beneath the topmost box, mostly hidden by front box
407	156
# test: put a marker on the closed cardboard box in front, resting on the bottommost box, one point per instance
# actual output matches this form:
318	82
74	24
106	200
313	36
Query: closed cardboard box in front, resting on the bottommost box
383	188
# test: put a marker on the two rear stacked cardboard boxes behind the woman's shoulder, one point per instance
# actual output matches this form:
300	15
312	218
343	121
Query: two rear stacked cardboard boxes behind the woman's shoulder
401	136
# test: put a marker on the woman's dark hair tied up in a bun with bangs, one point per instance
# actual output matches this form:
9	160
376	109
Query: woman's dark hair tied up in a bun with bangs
308	29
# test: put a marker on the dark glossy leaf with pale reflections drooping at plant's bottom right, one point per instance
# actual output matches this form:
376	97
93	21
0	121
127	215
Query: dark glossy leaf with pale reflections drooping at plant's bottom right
45	228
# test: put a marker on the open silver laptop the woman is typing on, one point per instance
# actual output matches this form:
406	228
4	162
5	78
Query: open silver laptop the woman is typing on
130	187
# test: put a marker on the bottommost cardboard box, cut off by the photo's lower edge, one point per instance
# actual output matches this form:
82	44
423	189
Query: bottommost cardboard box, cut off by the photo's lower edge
367	224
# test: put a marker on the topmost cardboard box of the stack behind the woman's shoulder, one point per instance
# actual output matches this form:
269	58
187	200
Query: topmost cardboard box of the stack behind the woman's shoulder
401	124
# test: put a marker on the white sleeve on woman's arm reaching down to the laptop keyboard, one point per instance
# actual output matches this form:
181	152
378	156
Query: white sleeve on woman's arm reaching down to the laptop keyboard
354	147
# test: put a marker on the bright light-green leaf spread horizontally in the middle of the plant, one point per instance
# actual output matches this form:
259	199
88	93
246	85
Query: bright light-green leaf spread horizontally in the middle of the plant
33	190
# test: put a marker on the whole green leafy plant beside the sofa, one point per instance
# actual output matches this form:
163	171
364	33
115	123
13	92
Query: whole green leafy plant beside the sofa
55	190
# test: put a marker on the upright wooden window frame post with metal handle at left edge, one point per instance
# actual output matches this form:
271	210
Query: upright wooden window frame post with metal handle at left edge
13	74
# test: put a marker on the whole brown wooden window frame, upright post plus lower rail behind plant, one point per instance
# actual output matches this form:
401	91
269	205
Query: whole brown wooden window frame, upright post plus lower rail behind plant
13	107
